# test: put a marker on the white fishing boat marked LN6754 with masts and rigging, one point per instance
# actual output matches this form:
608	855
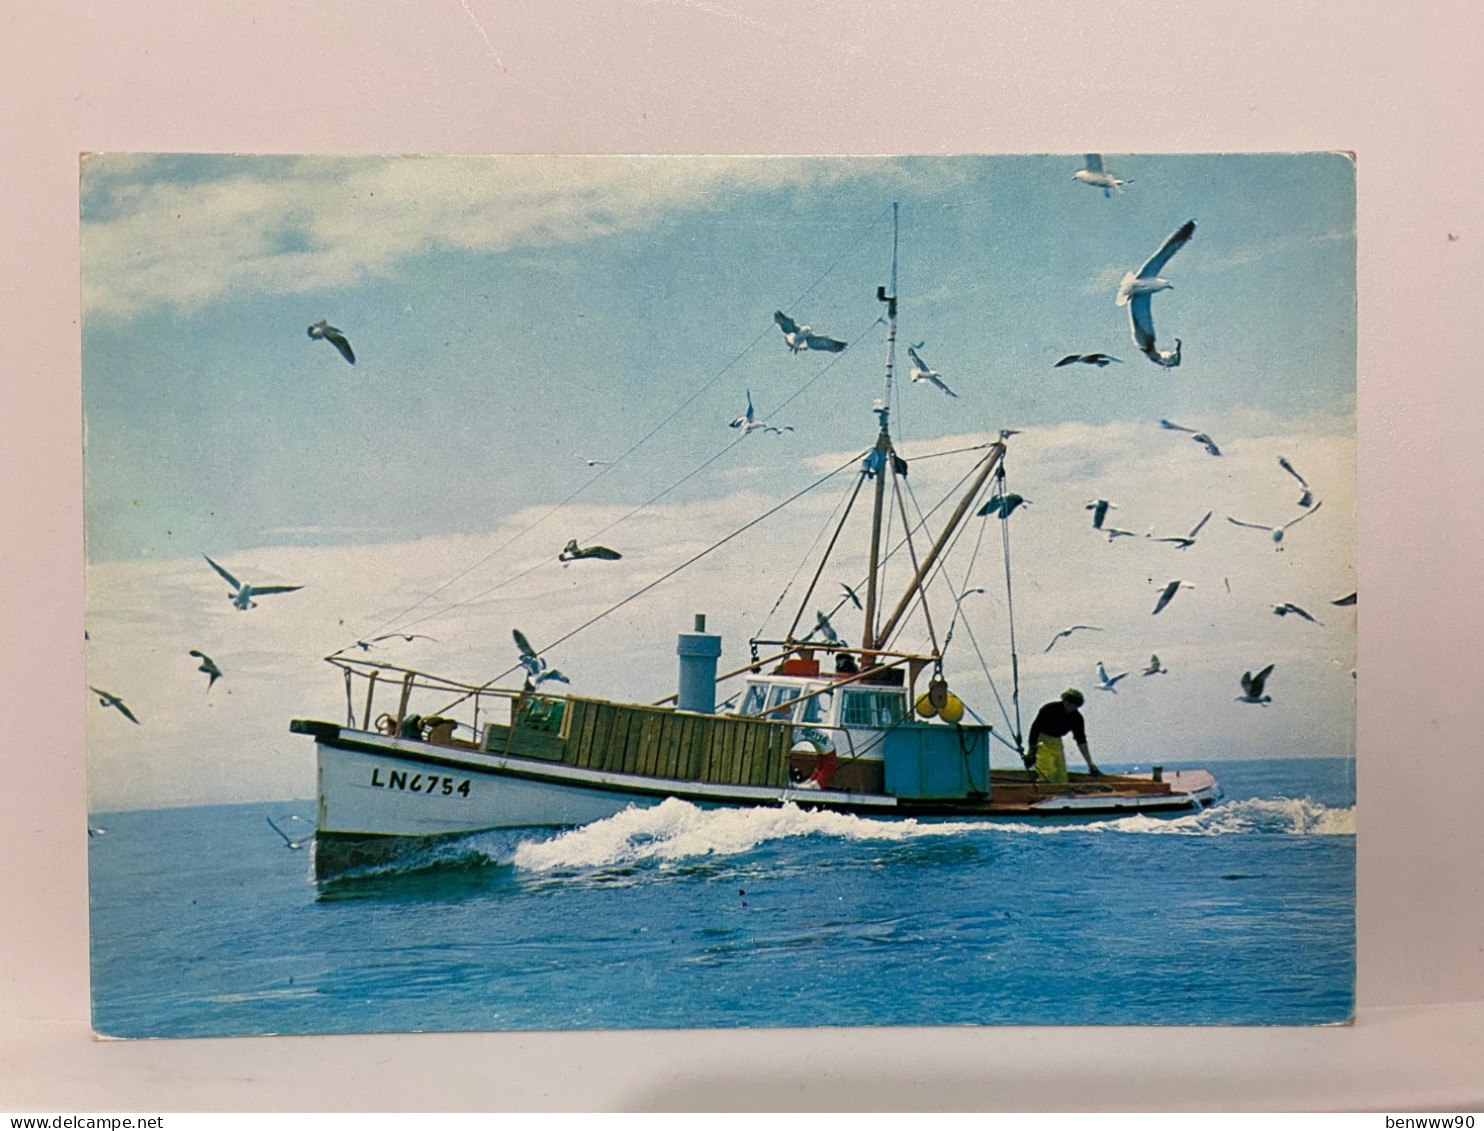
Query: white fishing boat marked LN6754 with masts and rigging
869	730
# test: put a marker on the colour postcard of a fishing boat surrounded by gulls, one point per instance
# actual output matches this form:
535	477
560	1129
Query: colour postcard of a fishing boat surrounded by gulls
707	593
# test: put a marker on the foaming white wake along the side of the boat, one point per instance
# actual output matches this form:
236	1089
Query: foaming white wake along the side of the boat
677	830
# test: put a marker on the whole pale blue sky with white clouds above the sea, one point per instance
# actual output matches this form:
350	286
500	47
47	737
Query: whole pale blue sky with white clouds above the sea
519	317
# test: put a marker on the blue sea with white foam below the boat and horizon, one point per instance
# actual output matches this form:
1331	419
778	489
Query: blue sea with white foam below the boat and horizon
207	924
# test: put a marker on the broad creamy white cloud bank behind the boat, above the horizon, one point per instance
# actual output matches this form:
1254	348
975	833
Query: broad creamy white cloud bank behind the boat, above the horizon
234	743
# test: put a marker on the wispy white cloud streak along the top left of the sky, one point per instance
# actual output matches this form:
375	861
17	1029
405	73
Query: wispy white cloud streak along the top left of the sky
314	223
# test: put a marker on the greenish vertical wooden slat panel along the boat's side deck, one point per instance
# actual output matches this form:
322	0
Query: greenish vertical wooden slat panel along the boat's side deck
663	743
